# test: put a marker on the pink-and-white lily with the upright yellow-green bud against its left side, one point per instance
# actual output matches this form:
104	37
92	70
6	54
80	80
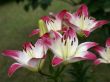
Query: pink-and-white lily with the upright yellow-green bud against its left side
48	23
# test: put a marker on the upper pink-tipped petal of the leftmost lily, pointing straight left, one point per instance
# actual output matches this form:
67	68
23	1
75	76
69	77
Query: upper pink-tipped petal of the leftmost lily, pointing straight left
12	53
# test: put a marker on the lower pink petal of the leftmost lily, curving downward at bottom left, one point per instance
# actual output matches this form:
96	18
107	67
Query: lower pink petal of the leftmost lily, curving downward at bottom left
13	68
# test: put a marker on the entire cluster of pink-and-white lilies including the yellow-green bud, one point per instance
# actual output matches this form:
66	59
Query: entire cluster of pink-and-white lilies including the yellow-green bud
58	32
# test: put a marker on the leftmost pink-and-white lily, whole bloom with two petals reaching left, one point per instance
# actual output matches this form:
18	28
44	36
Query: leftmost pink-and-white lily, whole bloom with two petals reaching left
32	57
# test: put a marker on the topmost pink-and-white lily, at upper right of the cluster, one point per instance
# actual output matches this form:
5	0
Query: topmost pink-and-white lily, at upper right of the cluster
81	21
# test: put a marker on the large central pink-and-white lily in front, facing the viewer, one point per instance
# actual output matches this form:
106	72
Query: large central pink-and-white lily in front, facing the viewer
66	49
